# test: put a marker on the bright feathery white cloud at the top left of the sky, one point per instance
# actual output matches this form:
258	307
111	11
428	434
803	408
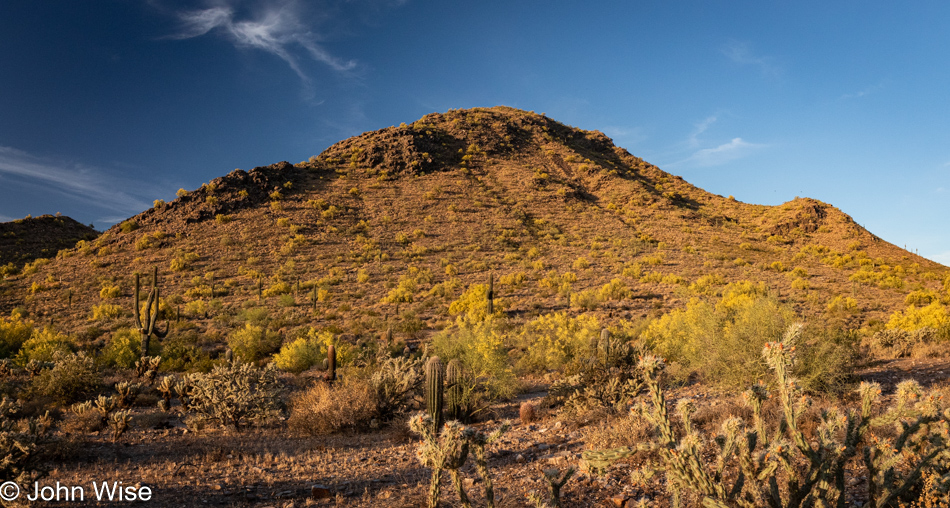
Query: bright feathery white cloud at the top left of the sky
274	27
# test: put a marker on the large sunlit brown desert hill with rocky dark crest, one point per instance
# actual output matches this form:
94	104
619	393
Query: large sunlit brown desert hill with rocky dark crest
385	229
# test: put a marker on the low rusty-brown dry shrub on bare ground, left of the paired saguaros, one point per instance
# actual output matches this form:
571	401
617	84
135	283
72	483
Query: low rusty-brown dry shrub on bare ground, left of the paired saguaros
324	409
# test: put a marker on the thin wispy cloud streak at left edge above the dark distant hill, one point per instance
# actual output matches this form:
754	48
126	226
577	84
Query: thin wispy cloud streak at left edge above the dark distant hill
83	183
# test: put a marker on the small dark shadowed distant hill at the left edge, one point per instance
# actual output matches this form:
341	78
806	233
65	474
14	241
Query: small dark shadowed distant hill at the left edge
24	240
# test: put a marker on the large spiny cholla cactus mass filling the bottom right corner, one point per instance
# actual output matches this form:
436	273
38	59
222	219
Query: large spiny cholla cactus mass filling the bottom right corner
778	466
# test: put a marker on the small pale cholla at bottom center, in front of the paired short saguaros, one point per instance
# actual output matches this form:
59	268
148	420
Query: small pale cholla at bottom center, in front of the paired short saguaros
449	450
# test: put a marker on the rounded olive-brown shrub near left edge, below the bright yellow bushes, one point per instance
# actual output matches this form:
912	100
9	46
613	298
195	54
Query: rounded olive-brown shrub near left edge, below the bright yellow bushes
72	378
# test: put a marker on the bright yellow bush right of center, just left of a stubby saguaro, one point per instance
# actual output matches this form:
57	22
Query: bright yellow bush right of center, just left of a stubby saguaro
553	342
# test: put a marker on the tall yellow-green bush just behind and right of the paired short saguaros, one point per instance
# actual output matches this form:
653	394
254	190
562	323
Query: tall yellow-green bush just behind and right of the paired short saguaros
480	348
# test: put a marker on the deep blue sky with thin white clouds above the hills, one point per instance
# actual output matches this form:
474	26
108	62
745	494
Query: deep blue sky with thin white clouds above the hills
108	105
